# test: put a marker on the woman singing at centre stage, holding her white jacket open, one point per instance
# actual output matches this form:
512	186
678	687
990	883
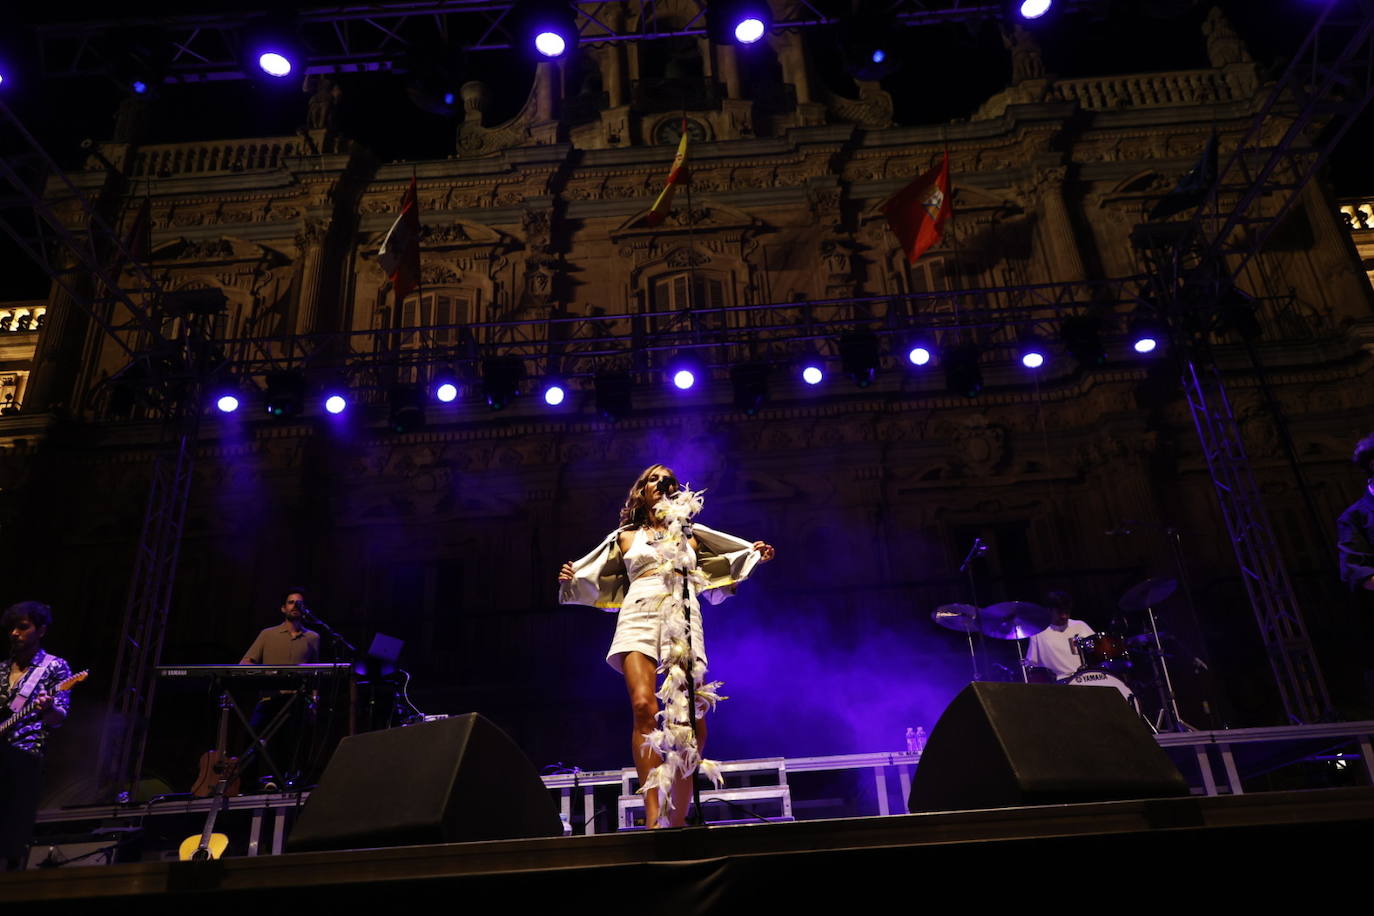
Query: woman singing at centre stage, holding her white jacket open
640	571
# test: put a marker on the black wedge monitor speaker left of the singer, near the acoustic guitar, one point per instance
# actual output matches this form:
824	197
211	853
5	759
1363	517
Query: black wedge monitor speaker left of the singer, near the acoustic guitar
449	782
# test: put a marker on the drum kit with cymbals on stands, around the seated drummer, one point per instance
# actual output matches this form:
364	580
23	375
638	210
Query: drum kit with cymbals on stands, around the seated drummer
1114	659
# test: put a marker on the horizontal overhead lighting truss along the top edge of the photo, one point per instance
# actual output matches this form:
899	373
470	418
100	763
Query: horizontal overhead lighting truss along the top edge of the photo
366	38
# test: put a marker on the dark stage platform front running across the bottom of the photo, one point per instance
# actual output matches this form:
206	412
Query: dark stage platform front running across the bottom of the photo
1230	848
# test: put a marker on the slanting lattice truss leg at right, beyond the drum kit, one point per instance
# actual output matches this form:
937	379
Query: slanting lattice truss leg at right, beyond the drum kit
1277	612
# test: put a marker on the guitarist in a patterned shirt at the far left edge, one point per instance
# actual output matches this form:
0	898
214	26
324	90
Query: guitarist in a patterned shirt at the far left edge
28	676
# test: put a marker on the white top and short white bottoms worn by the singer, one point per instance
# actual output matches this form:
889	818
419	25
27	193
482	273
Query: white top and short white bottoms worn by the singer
640	623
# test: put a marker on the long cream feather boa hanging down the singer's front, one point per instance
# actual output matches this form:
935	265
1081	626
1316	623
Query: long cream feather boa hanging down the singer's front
675	741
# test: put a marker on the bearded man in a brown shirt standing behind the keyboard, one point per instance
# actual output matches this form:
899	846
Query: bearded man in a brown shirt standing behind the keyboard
288	643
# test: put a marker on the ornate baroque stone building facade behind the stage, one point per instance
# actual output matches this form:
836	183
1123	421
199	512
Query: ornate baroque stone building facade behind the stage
450	536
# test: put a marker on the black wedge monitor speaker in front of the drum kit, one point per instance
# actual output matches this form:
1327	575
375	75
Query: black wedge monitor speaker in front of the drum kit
1008	745
